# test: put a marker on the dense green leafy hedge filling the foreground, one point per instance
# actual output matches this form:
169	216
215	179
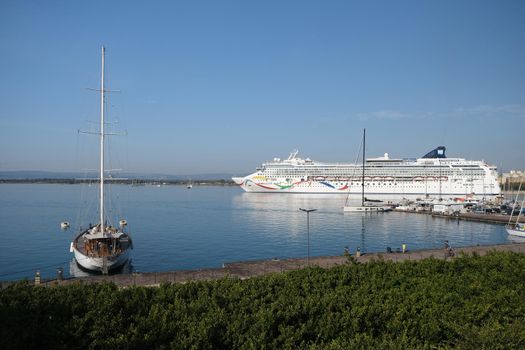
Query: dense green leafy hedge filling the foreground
471	302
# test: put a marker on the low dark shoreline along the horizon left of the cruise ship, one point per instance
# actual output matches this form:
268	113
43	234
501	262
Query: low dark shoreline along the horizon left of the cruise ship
133	182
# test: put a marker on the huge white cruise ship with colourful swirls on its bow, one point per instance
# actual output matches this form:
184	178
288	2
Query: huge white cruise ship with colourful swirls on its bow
432	175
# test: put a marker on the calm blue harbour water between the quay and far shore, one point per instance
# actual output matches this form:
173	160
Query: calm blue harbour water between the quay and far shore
175	228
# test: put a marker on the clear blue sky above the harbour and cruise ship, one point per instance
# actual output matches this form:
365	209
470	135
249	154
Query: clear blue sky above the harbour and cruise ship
221	86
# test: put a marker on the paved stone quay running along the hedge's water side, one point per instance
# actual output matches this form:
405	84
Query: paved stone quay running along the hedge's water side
248	269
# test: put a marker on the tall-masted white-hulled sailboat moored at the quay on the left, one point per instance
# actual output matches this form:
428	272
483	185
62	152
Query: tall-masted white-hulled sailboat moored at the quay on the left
102	247
